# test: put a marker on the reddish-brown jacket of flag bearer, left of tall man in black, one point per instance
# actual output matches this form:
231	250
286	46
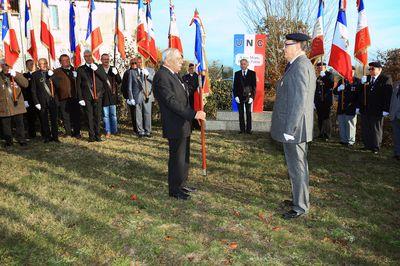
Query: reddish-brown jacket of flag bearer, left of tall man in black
65	85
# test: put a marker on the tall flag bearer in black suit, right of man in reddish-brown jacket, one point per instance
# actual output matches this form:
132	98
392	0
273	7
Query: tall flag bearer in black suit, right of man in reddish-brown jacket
91	84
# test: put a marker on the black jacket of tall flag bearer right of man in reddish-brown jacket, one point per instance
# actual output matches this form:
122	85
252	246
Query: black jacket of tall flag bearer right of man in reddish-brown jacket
84	82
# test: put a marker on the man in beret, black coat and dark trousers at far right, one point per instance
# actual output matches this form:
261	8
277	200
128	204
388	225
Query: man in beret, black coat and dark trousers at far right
374	105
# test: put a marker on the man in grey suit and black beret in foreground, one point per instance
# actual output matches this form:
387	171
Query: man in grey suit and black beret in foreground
292	119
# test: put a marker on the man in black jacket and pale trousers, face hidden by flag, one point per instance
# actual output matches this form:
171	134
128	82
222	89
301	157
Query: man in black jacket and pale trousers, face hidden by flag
347	94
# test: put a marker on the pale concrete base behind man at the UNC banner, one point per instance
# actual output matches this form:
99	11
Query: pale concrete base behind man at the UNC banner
229	121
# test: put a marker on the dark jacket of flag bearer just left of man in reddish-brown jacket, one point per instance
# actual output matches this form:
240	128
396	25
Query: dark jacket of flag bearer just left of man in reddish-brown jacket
39	93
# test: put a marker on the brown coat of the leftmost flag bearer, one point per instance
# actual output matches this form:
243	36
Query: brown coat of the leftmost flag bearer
9	107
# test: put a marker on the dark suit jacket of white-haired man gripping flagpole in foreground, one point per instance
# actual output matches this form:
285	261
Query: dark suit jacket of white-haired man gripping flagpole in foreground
173	98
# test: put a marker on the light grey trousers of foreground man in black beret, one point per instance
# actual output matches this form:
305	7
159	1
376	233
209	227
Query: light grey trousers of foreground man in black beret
296	161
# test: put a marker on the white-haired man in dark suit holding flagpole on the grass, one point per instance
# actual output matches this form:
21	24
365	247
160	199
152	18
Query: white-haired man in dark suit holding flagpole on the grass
176	117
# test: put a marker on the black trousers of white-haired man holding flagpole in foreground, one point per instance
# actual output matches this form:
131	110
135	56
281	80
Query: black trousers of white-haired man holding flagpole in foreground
178	163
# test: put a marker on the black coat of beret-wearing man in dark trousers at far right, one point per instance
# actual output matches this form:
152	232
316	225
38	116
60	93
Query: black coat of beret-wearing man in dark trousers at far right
375	99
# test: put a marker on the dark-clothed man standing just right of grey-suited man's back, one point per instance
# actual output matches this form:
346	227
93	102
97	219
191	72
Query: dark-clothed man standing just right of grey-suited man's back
323	100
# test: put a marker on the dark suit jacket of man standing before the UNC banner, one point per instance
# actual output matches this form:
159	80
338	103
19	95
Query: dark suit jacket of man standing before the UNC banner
240	82
